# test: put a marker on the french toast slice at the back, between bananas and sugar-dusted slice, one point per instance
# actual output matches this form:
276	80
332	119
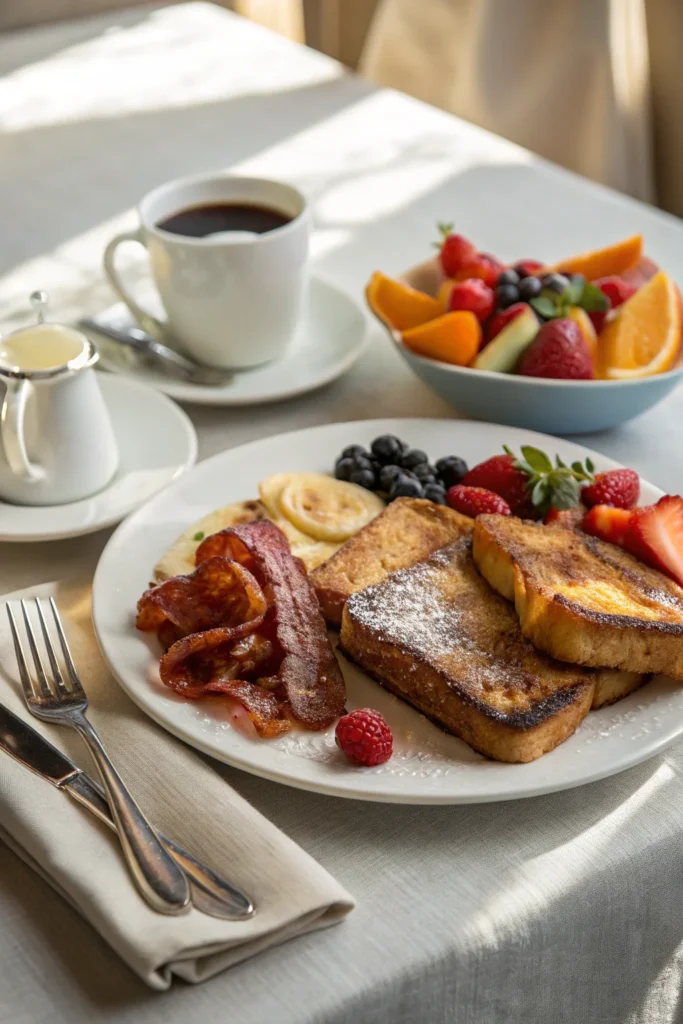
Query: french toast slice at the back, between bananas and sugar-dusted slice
408	531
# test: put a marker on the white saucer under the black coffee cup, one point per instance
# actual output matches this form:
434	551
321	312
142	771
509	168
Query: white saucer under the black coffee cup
327	345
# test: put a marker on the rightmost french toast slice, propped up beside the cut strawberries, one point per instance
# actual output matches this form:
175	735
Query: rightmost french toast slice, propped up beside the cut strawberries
581	600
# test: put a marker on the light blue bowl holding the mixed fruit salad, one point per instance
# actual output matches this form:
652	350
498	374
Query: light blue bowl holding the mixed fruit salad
552	407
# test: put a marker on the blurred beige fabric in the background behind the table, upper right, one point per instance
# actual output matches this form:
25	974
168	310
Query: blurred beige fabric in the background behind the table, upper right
594	86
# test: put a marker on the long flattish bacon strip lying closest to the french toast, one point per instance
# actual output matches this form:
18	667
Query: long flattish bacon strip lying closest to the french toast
311	676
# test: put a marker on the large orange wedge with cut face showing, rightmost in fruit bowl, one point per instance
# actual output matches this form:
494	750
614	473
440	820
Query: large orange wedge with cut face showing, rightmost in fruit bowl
646	335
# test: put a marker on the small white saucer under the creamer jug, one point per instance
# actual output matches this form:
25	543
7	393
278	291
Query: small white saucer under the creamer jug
157	443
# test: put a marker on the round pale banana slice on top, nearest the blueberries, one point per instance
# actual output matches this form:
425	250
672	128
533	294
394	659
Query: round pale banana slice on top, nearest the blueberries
325	508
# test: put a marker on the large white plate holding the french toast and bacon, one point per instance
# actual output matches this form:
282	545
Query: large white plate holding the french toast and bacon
429	766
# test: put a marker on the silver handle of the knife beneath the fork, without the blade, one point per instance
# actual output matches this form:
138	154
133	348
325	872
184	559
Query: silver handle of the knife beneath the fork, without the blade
210	893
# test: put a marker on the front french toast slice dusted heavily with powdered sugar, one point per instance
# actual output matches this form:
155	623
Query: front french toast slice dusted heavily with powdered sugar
438	635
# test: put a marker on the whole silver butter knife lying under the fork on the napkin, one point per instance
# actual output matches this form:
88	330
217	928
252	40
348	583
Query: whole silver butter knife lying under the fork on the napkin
210	893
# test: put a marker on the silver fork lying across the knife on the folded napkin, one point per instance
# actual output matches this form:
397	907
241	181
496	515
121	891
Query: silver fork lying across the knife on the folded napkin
159	879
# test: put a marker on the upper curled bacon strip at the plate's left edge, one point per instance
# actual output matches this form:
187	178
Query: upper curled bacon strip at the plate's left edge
220	592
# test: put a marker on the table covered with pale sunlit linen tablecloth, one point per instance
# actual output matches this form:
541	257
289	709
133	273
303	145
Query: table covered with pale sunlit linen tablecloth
563	908
